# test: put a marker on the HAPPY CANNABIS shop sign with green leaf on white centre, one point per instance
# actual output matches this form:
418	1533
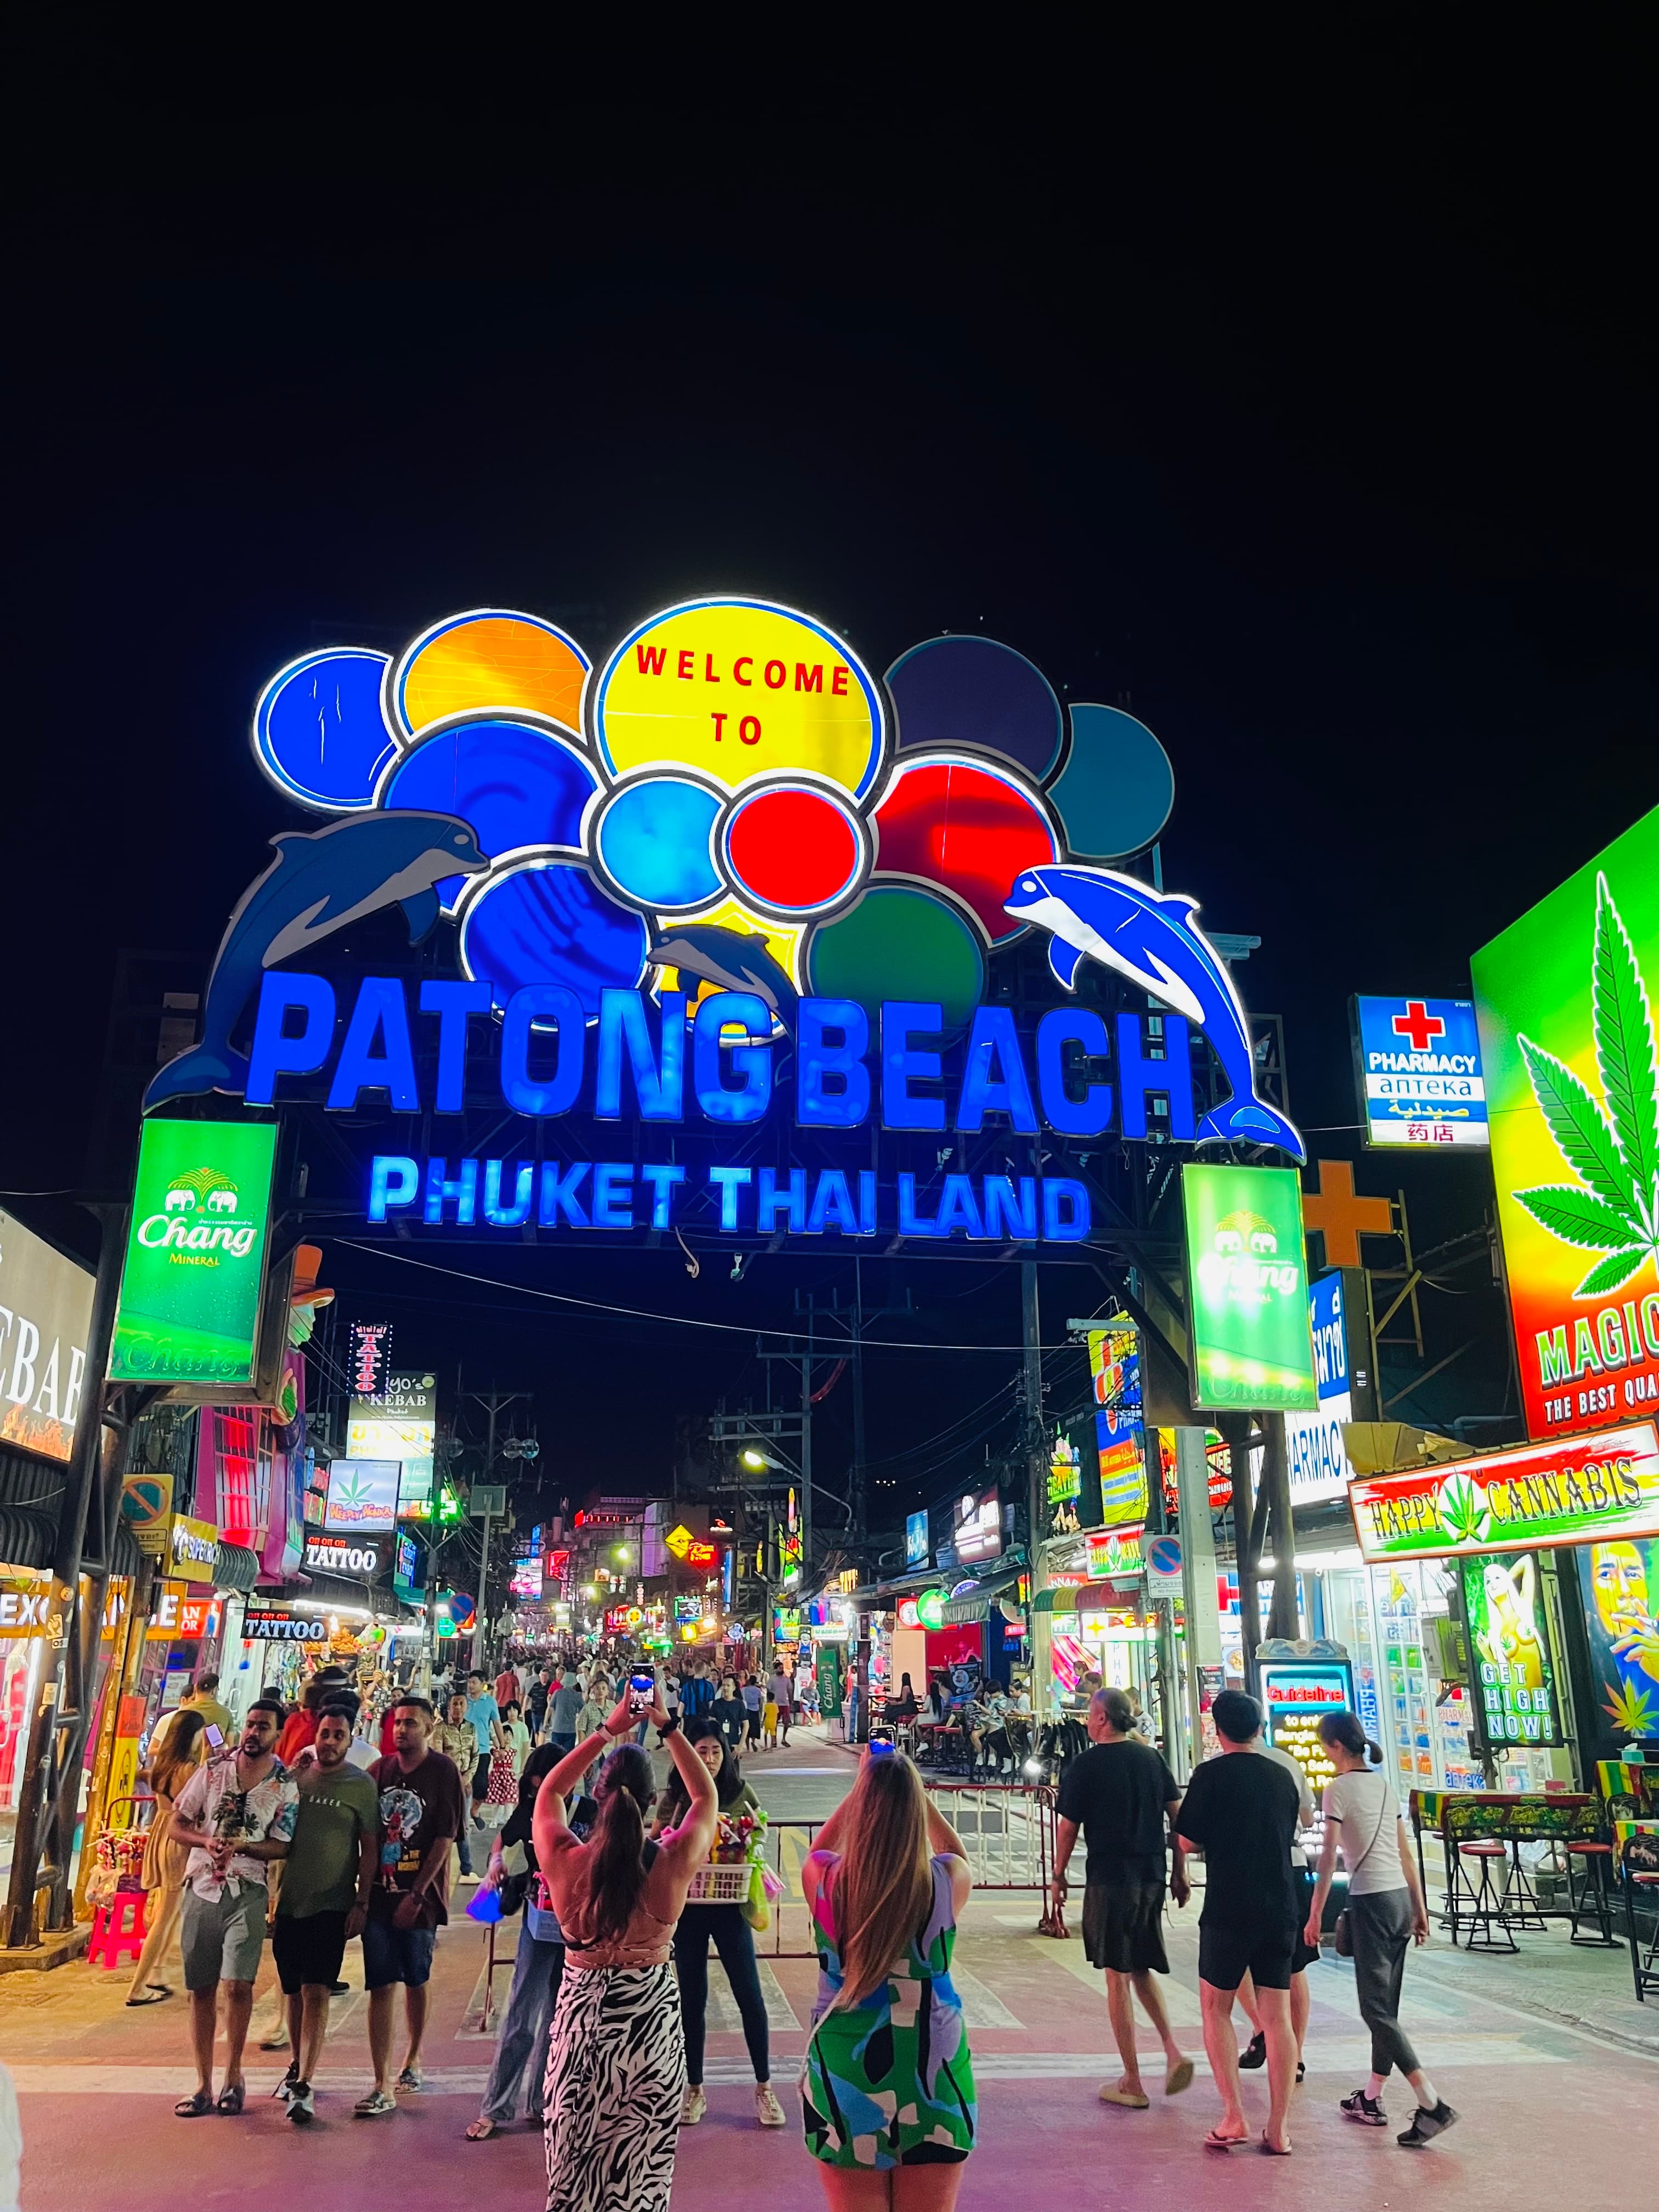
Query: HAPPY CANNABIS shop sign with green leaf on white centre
1587	1490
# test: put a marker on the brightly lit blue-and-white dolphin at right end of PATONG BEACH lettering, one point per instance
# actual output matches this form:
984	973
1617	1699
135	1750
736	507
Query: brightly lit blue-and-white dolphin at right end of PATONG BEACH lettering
1151	937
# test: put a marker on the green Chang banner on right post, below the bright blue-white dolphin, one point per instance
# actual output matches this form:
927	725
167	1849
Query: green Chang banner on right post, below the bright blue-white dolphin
1246	1288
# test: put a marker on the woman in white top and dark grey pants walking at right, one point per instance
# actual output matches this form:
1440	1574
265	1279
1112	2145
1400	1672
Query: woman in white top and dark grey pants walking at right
1386	1910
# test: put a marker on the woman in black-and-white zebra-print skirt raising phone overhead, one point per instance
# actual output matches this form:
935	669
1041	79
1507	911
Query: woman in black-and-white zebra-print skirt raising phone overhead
616	2067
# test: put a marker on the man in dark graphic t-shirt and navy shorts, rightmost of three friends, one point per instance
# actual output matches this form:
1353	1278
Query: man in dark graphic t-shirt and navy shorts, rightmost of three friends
424	1808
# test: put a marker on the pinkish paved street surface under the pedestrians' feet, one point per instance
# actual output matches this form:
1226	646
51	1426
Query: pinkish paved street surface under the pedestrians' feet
1547	2058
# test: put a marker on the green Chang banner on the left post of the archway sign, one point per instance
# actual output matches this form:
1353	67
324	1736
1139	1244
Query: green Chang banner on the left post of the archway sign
196	1255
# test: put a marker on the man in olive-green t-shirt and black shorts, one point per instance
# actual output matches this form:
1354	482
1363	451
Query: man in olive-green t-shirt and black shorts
326	1888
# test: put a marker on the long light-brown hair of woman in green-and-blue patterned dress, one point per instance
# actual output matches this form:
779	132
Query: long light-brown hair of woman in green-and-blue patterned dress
884	1886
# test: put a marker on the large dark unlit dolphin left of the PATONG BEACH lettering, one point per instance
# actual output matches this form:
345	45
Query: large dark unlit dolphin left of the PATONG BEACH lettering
320	881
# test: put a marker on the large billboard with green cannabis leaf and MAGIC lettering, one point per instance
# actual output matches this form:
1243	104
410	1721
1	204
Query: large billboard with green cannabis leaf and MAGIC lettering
1567	1036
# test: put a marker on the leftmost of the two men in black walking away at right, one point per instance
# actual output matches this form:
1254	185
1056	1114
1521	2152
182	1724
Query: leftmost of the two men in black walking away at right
1123	1797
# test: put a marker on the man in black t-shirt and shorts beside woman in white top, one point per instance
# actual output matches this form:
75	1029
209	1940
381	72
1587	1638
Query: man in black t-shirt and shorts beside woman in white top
1242	1813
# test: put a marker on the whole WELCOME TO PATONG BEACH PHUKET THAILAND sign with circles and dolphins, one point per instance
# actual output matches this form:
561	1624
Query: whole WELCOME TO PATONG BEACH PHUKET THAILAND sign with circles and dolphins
724	875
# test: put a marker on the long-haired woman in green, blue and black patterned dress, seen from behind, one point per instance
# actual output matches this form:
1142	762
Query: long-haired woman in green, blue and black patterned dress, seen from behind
888	2080
